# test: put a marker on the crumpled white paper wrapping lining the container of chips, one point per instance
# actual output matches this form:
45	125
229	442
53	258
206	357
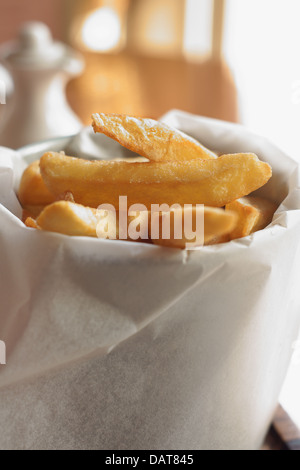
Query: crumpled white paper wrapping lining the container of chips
116	345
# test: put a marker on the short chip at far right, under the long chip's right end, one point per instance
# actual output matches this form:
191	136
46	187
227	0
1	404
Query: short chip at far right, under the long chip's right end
254	213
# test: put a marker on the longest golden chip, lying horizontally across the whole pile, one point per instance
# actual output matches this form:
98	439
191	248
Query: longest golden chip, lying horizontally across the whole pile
214	182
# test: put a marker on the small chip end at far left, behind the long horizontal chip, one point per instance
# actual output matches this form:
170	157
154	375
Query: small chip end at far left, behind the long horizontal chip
32	190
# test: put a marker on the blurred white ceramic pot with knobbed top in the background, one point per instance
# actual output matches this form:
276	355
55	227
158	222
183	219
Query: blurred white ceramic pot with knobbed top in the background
40	69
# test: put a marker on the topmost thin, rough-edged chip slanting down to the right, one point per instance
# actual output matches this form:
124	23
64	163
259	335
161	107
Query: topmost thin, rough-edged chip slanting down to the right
151	139
